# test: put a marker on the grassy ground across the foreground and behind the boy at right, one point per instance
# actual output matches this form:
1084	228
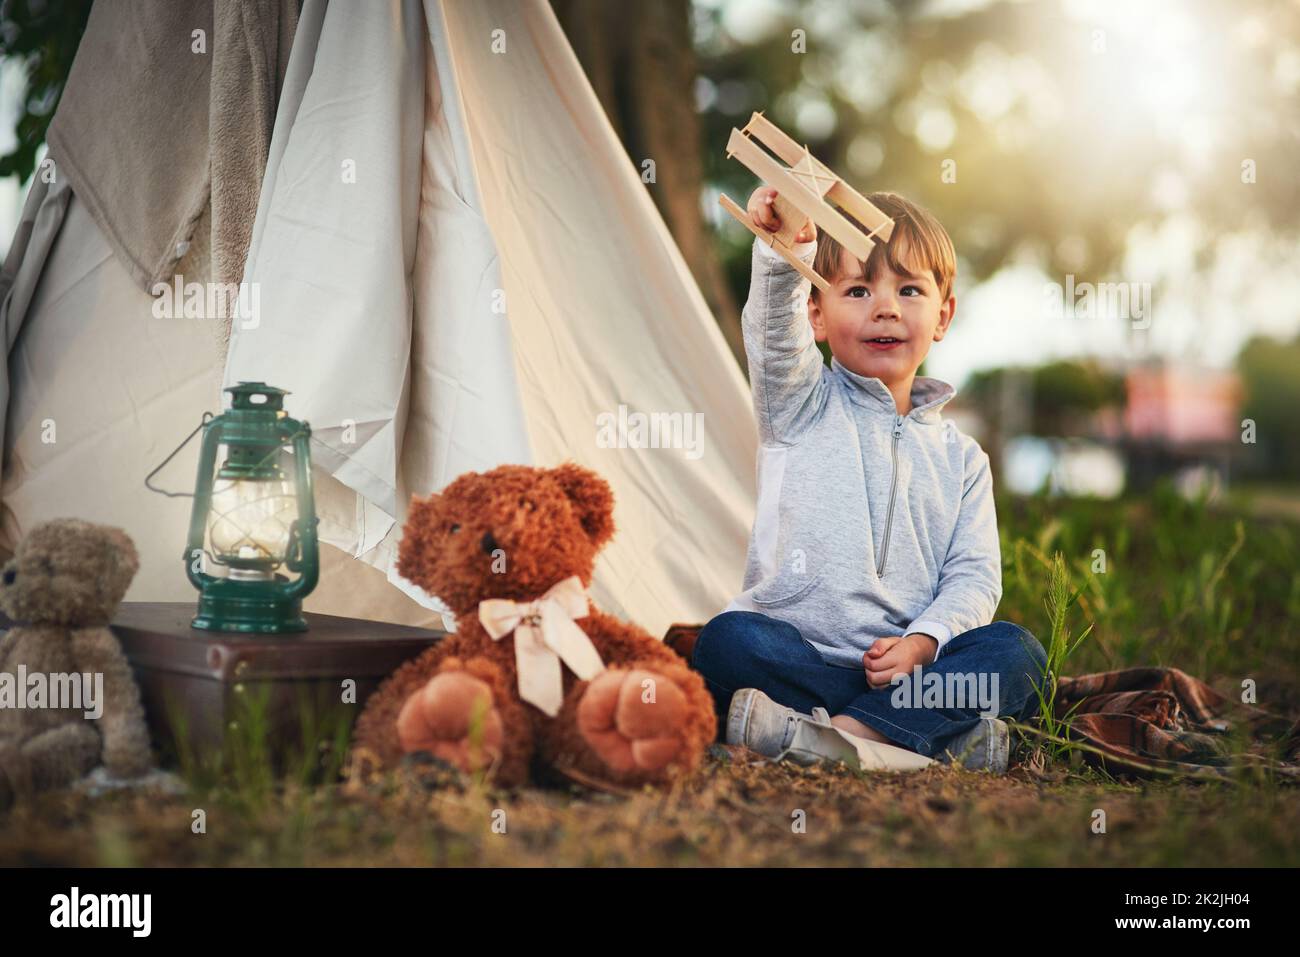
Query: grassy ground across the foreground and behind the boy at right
1146	582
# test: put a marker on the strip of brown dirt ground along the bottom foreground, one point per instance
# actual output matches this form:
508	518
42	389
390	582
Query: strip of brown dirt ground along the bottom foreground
739	811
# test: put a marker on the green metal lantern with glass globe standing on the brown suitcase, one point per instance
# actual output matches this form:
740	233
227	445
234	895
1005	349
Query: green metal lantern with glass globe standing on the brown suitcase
254	517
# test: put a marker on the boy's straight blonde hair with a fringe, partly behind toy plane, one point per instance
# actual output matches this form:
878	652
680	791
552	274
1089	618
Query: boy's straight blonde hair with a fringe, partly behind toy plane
918	244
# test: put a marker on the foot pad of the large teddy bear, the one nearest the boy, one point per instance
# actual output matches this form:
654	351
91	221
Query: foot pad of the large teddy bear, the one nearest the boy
634	720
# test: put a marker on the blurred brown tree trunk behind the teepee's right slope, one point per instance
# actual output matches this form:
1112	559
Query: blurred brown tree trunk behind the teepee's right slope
642	63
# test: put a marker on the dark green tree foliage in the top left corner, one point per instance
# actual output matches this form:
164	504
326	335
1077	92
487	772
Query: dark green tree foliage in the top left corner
44	36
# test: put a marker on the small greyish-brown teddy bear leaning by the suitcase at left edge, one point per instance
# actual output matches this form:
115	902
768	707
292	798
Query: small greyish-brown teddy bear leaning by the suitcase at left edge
64	586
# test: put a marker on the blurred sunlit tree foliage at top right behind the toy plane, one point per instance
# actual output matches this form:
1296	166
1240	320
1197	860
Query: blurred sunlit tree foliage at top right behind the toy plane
1042	132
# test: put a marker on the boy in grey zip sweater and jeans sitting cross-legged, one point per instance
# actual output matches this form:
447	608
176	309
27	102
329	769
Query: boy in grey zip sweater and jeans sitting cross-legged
874	561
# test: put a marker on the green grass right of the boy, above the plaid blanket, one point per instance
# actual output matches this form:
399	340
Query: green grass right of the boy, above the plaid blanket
1165	581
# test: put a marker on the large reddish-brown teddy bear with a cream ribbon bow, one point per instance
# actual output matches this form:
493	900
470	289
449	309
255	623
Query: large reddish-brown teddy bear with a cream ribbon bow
535	674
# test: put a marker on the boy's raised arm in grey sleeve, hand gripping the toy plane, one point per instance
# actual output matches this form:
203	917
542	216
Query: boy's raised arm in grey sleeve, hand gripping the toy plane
786	367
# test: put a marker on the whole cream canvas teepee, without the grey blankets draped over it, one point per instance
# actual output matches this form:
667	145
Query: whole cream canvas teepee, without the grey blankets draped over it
456	266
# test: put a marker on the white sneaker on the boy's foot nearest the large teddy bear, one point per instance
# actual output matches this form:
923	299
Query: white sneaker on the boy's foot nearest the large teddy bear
779	733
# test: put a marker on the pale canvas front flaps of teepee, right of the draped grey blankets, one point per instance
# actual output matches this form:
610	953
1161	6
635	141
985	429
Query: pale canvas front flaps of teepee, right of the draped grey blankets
547	296
